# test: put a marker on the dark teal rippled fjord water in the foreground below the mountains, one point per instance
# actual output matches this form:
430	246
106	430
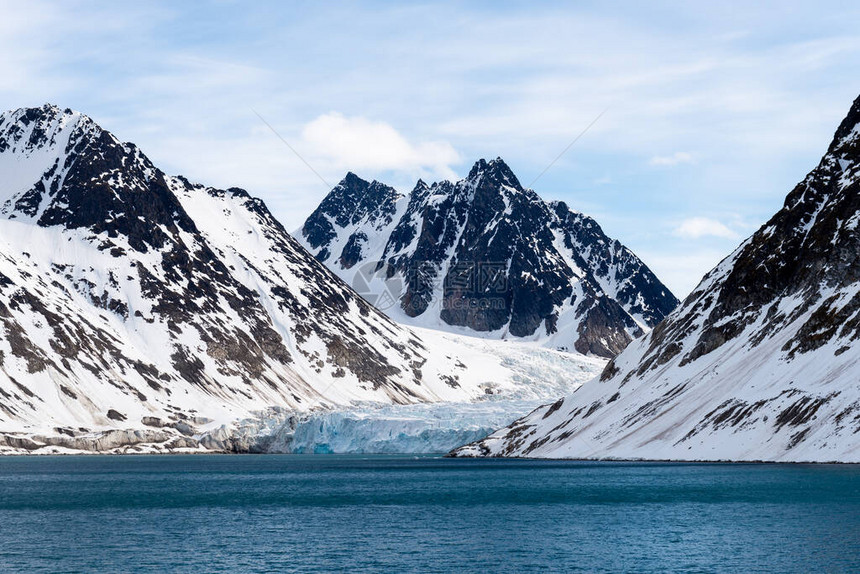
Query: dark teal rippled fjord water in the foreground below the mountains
397	513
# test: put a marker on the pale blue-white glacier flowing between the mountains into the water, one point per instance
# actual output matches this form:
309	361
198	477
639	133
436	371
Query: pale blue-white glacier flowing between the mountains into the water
525	375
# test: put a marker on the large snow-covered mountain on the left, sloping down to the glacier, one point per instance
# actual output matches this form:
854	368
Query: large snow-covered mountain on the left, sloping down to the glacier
139	308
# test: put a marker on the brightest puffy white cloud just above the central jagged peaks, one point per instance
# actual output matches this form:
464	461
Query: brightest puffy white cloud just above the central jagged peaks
359	143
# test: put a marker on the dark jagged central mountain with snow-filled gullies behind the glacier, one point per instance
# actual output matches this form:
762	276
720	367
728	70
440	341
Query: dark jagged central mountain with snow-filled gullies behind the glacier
486	256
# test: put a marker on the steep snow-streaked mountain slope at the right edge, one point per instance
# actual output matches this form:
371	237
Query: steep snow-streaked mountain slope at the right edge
761	361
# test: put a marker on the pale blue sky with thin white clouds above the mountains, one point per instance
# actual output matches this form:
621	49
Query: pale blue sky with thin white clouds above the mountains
707	114
